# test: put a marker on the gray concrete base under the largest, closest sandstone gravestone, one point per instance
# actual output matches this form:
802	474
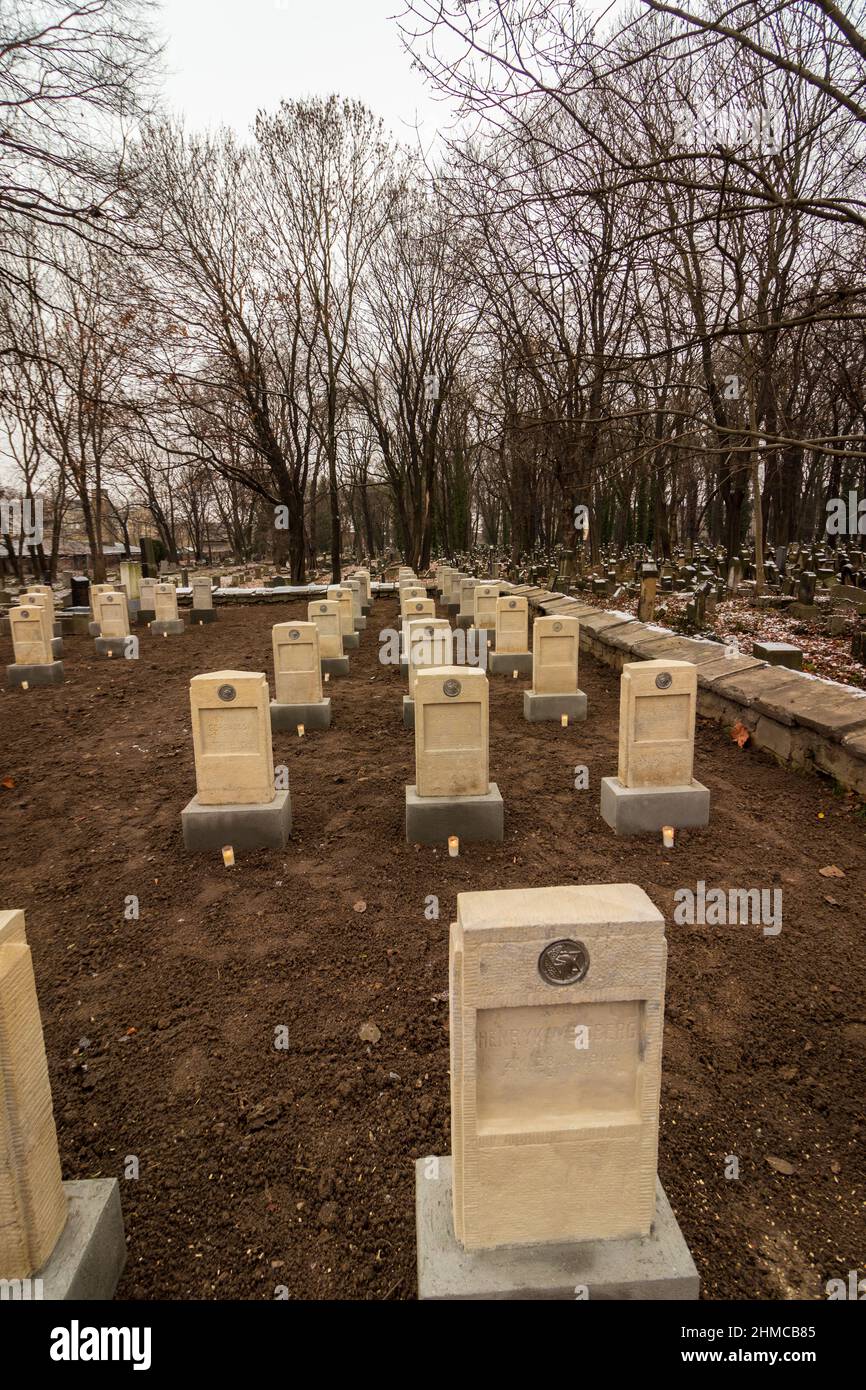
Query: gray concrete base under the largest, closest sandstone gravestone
655	1267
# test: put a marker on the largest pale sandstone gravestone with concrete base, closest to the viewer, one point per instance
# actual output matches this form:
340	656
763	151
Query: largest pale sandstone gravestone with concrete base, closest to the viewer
553	1192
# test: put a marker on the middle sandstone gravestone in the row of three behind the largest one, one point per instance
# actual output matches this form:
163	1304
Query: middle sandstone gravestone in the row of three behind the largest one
452	794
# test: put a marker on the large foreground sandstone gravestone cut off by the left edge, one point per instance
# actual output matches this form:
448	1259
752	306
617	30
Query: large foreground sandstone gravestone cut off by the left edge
67	1239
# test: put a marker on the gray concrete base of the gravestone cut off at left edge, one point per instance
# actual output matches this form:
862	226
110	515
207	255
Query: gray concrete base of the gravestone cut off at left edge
90	1257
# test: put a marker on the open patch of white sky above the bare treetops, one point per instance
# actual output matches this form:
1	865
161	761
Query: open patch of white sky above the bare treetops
229	58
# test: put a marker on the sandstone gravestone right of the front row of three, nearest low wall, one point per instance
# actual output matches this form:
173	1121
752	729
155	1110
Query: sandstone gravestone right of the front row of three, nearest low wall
655	786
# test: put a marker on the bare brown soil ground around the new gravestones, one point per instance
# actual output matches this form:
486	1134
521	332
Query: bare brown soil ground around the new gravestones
262	1167
